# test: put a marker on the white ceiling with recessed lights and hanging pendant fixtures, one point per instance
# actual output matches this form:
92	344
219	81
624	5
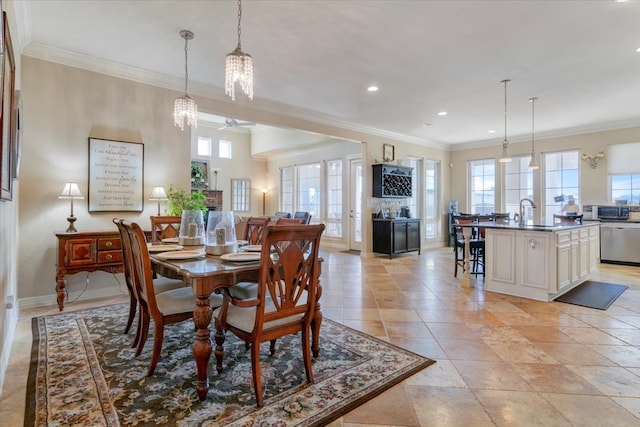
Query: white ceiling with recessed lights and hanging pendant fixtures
315	59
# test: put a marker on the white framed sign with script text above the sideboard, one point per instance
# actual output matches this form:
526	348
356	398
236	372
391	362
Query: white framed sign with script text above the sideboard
116	172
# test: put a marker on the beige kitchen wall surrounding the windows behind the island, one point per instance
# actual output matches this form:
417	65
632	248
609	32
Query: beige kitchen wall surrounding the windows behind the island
593	182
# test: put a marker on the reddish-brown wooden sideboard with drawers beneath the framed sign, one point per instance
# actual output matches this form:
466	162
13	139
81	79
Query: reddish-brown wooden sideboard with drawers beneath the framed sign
86	251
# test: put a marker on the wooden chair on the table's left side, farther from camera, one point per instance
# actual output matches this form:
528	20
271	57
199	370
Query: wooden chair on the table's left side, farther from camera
160	284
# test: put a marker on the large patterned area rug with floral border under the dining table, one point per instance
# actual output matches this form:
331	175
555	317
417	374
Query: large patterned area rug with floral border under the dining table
83	372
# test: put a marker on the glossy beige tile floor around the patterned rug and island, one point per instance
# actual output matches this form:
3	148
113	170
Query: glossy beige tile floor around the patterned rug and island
500	360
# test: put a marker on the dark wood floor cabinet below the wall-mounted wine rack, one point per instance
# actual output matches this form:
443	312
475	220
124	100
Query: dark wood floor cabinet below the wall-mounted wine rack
393	236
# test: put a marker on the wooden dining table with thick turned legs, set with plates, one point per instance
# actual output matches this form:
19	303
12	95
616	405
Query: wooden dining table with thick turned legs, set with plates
207	274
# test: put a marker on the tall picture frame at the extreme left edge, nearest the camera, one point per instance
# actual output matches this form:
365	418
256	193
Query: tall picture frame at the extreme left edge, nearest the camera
7	140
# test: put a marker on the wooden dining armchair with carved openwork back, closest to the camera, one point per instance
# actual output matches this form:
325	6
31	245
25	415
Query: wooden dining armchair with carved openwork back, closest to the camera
286	299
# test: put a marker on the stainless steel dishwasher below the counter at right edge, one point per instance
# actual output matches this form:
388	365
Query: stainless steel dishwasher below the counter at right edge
620	242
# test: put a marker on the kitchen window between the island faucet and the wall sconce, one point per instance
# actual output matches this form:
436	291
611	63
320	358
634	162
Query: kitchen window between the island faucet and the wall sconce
562	178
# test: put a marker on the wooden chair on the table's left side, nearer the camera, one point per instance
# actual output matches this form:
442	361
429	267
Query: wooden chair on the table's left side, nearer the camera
164	308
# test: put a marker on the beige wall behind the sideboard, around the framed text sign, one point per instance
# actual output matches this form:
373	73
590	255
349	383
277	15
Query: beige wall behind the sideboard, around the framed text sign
63	106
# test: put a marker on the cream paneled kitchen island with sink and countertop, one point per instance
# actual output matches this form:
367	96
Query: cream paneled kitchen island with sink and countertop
536	261
